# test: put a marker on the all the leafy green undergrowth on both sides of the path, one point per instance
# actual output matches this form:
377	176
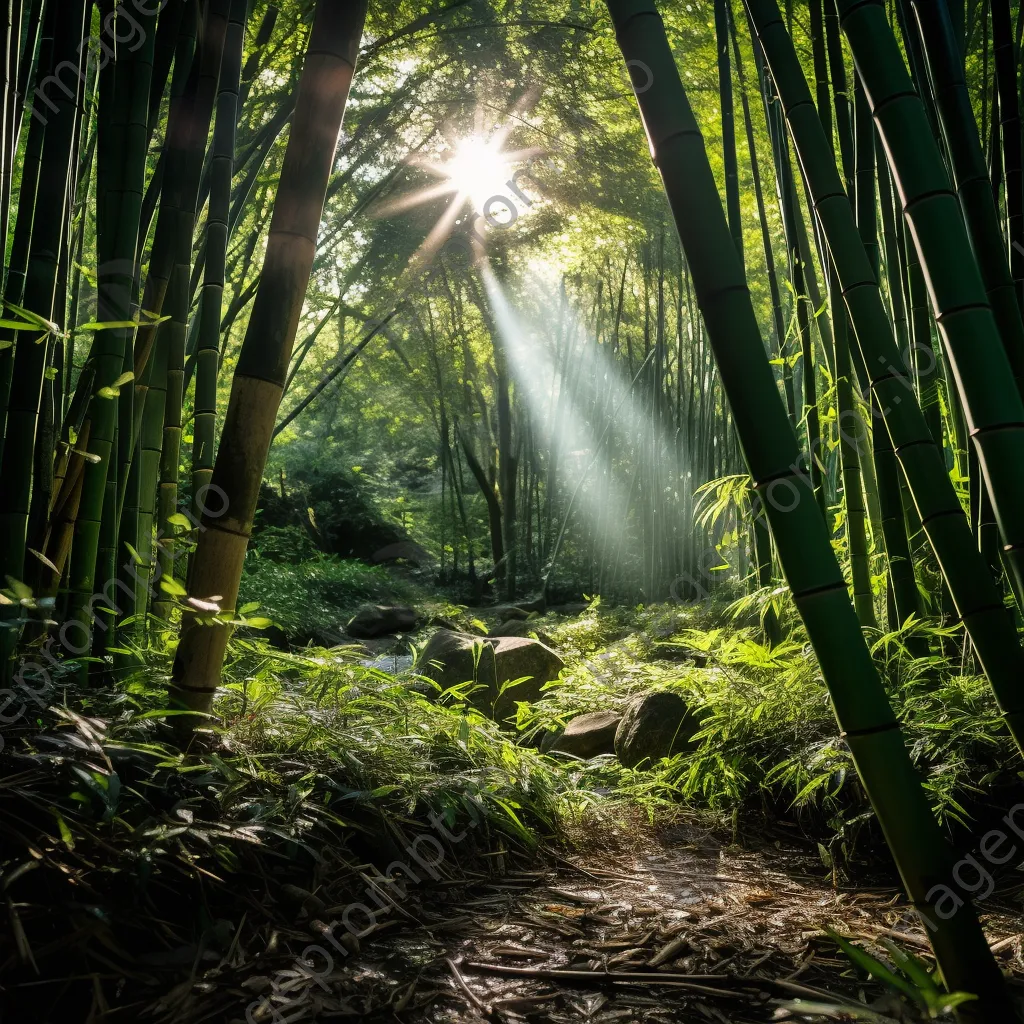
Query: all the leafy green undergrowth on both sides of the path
121	857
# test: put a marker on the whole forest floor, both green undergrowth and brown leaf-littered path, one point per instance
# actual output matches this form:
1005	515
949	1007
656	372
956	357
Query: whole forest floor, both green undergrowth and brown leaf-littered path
144	886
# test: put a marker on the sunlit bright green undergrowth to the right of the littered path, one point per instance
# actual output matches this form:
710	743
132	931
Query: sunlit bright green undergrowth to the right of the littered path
770	739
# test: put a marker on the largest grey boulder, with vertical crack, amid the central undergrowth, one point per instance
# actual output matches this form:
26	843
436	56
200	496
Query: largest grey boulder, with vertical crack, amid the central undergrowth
449	660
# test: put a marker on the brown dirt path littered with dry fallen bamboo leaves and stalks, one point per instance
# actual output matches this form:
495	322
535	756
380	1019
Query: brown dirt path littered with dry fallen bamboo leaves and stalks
684	929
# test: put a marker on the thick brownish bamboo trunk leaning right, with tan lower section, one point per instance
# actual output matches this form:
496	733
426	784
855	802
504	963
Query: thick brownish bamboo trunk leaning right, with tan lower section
263	367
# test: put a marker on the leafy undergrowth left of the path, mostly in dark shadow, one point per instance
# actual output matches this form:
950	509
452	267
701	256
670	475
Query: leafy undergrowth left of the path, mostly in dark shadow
122	858
